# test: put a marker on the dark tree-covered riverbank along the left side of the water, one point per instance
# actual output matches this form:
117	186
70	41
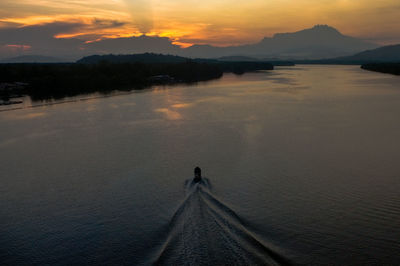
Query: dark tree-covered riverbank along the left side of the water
54	81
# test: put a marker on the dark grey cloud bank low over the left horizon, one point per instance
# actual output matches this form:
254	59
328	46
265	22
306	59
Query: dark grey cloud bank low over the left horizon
40	40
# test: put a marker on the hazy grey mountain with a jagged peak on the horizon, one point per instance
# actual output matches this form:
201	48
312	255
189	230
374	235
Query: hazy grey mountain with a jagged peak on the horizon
319	42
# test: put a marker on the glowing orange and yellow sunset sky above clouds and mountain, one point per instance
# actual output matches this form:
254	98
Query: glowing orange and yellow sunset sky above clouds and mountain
223	22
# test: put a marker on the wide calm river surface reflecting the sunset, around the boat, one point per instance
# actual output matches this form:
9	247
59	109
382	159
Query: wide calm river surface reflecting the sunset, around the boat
302	166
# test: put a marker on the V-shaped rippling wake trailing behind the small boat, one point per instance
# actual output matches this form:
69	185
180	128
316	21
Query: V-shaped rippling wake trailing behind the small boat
204	231
